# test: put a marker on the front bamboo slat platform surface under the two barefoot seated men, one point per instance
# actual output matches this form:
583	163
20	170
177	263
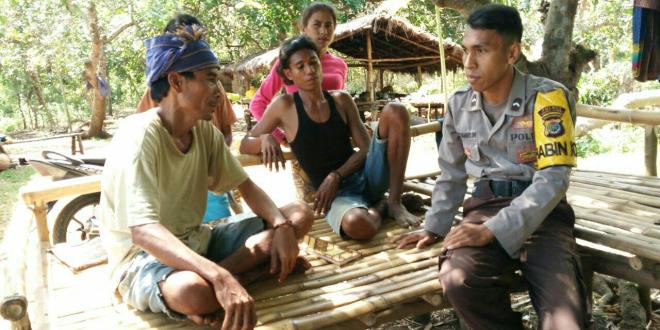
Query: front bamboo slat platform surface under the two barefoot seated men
384	284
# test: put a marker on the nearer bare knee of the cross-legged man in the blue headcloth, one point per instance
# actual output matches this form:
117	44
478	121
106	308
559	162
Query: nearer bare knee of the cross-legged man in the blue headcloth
188	293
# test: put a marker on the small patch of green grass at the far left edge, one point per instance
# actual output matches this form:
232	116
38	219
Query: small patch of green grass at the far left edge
10	181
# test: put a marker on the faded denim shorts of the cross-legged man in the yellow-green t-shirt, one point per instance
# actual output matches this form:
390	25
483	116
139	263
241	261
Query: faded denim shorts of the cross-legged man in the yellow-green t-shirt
139	285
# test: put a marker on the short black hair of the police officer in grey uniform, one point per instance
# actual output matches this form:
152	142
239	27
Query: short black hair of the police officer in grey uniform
503	19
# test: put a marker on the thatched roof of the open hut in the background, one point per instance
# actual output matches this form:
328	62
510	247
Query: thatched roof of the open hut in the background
397	45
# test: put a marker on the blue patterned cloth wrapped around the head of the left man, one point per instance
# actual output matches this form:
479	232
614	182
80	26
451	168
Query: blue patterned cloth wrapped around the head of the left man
184	50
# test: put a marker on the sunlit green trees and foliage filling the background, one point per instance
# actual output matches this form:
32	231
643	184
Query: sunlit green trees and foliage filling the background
51	39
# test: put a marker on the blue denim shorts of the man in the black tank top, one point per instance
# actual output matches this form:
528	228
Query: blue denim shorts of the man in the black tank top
364	187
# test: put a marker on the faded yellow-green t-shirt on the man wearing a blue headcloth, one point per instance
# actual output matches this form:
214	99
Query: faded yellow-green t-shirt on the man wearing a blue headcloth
147	179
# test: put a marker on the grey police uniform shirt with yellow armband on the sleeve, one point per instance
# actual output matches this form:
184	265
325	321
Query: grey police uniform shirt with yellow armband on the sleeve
531	141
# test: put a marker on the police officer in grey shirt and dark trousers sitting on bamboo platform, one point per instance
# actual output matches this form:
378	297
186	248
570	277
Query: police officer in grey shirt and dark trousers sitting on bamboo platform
513	133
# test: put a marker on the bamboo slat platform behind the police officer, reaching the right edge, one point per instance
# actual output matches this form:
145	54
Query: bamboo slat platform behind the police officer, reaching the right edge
617	221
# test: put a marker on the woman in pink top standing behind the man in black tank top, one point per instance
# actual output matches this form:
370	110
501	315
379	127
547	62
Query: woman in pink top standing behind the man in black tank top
318	22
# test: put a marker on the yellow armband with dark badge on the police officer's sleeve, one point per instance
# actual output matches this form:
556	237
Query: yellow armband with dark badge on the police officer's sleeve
553	130
